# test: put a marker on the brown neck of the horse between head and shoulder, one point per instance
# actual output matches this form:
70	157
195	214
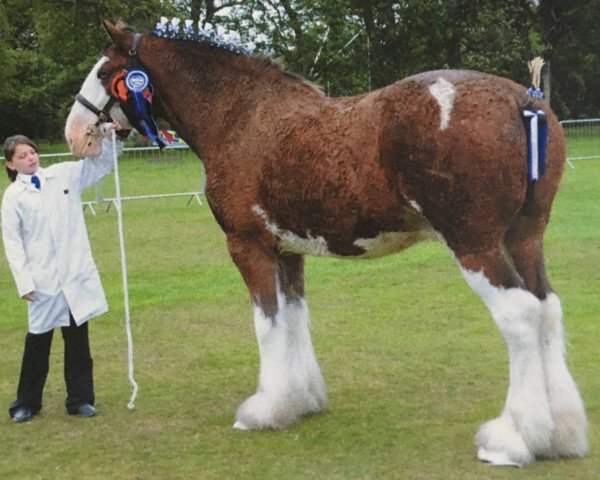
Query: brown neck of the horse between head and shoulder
203	91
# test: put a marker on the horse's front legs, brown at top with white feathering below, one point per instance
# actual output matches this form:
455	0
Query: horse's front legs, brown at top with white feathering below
290	382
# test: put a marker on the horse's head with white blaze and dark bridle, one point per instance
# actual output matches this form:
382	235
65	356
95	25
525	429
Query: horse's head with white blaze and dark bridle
96	101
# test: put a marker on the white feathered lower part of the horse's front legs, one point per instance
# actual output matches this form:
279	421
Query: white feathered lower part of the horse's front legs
290	381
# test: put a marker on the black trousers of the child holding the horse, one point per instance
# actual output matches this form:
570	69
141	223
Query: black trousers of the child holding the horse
78	369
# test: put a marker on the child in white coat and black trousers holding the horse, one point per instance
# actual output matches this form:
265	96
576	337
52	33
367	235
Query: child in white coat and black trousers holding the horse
47	247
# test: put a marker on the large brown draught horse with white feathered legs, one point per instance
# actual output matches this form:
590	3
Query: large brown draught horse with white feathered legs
291	172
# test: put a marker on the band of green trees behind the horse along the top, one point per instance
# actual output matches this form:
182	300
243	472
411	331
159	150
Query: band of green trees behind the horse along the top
346	46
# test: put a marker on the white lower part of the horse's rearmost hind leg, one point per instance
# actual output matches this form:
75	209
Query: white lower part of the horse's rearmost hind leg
566	406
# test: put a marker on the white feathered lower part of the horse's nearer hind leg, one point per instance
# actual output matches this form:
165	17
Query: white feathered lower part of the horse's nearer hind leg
525	427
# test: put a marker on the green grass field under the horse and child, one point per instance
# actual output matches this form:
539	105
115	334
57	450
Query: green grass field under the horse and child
412	359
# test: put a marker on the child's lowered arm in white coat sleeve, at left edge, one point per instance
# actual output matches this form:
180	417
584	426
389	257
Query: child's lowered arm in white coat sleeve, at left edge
13	247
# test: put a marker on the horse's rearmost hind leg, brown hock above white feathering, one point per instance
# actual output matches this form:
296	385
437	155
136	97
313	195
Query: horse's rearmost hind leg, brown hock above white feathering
569	438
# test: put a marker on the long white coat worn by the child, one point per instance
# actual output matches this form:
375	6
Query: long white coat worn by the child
46	242
